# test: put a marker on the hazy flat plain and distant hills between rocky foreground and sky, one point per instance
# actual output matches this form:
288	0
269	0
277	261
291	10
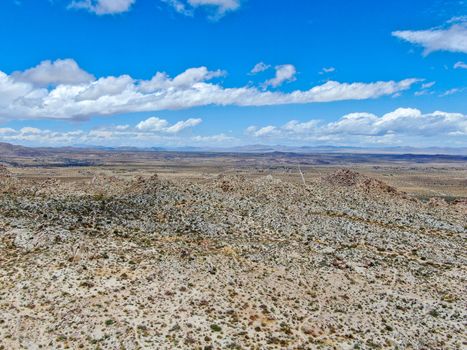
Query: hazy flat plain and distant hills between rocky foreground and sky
422	175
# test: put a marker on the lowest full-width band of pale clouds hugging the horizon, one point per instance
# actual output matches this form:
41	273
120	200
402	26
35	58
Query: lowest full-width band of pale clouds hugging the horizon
403	126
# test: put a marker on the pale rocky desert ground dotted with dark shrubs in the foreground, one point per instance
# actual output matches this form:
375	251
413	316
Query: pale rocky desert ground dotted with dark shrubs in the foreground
344	261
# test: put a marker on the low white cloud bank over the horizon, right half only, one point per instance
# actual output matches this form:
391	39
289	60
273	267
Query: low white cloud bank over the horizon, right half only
403	124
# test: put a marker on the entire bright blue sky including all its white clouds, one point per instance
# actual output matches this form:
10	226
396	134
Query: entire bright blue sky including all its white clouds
233	72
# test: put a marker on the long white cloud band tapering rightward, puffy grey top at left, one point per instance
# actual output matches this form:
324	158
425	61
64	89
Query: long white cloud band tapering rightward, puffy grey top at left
76	94
